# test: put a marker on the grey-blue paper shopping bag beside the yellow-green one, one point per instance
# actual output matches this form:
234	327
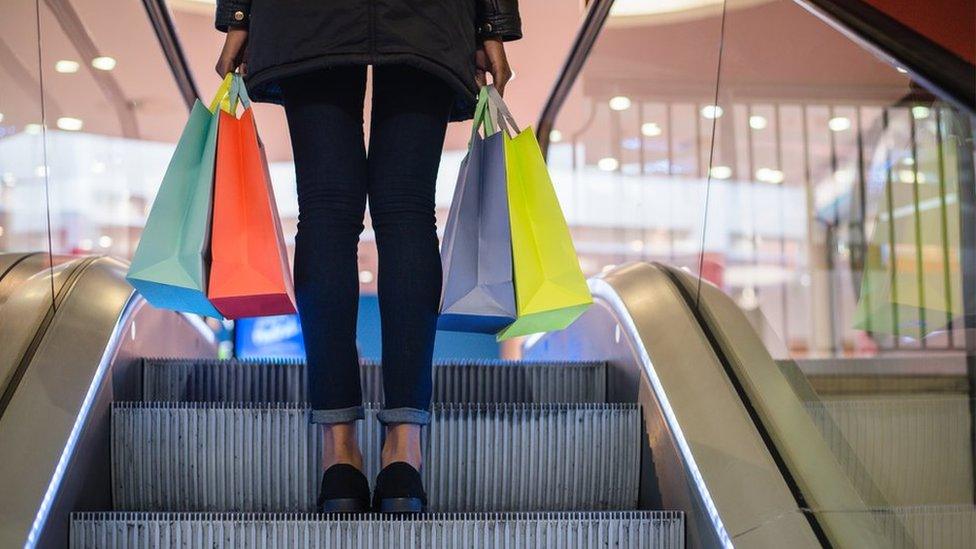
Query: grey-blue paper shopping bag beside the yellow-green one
476	254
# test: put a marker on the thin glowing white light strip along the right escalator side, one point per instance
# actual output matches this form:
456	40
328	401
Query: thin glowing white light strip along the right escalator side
602	289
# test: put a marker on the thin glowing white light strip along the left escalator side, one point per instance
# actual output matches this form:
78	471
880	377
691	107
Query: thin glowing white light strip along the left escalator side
135	300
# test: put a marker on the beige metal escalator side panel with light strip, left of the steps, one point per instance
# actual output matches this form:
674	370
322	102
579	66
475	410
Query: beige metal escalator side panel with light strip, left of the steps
54	443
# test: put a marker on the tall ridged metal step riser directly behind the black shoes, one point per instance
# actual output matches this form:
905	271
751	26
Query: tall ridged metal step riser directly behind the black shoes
479	457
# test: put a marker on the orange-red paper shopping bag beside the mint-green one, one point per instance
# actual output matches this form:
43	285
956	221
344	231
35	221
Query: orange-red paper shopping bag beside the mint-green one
249	272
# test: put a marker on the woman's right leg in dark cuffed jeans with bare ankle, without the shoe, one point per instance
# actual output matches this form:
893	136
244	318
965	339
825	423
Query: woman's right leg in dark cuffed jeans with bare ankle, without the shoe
410	112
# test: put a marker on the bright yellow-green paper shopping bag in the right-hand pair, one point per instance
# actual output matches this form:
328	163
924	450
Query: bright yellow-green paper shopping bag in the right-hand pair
550	290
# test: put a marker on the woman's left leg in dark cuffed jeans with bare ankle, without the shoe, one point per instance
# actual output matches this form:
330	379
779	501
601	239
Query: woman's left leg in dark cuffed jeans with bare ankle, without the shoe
325	119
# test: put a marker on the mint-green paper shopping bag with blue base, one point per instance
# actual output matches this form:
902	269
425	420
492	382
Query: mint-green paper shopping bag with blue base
169	267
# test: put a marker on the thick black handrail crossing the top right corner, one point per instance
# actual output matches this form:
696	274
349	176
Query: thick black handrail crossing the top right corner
947	75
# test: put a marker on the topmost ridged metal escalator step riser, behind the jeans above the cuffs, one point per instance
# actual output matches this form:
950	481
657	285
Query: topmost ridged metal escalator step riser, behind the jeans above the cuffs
284	381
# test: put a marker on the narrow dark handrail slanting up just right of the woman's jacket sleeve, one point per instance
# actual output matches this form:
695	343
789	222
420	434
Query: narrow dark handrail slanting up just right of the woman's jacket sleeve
596	16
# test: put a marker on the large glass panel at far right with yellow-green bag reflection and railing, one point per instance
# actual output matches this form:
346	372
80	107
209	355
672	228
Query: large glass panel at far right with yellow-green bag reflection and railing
835	222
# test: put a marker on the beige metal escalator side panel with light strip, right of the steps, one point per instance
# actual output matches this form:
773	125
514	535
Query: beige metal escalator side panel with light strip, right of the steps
704	454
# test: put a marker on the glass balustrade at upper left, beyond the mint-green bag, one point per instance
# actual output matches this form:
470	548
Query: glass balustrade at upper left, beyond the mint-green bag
90	116
